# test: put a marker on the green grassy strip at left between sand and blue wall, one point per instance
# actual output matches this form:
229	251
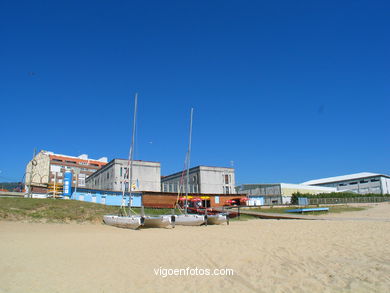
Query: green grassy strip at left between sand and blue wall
59	210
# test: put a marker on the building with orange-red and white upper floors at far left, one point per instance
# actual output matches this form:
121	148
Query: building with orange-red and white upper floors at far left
47	169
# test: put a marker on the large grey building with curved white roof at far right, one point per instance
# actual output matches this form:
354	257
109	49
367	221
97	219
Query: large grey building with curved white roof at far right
361	183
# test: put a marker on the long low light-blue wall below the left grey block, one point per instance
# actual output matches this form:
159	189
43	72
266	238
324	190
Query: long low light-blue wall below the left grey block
111	198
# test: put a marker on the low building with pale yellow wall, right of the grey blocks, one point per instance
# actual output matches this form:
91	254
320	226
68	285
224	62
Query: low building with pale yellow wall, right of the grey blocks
277	193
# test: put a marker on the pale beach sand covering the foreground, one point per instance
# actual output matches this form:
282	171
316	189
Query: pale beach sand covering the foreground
336	255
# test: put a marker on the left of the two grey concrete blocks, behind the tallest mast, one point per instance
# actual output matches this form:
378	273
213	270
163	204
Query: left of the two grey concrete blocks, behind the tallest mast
114	176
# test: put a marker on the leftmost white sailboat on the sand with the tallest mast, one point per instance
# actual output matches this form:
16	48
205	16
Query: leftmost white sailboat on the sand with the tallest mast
127	220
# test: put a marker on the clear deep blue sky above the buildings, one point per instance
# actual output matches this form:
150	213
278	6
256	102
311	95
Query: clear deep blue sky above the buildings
288	90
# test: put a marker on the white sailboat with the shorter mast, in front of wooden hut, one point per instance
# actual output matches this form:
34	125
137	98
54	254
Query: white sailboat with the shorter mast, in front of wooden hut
186	219
